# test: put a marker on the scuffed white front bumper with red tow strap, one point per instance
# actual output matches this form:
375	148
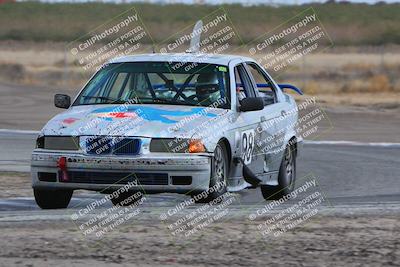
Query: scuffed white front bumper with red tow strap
155	173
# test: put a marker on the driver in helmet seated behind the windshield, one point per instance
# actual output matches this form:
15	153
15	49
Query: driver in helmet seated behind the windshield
207	88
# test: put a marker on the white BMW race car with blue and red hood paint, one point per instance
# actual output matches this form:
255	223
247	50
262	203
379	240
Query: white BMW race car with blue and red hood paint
183	123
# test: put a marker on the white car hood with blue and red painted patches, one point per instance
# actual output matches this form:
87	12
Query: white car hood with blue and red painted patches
162	121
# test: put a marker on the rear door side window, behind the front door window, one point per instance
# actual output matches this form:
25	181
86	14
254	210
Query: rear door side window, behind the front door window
265	87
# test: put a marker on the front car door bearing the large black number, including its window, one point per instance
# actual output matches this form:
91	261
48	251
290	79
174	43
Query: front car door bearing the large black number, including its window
251	130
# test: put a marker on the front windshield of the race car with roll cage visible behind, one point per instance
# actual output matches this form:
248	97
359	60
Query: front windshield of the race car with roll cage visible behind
194	84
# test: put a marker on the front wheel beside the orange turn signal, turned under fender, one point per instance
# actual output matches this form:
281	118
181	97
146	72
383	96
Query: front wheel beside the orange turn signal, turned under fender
219	174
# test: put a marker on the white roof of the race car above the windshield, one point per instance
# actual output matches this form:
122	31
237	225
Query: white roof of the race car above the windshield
219	59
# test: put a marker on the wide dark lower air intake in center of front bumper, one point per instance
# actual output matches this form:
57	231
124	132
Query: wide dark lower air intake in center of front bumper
117	178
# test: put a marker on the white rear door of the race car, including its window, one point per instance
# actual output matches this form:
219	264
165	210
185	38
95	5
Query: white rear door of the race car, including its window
274	129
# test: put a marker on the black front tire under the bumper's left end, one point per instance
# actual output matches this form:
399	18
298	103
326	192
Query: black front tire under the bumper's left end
52	199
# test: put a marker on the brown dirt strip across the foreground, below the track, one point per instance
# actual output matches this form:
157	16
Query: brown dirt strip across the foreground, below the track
324	241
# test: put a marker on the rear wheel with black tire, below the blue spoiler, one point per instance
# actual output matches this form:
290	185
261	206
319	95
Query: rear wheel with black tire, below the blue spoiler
286	177
